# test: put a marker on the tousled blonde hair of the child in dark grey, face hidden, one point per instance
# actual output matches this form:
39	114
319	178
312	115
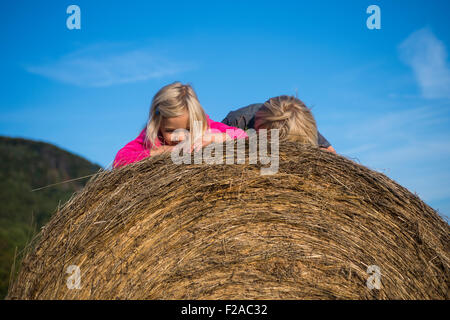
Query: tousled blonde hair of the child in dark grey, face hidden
290	115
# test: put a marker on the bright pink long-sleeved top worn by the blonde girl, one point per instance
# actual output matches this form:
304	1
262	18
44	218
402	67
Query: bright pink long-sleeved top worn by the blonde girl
135	150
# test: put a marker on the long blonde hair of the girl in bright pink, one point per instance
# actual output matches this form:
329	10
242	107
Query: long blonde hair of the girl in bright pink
171	101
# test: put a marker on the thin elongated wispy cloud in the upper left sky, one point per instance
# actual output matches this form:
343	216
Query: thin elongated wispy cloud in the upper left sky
106	65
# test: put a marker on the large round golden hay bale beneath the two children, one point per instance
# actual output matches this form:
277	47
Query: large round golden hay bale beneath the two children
323	227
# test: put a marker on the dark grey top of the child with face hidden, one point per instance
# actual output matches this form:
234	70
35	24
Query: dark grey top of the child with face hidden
244	118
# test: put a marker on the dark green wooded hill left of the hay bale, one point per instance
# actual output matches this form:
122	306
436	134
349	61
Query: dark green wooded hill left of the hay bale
27	165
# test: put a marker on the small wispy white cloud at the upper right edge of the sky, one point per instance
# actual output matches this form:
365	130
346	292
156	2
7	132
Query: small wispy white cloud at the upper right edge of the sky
427	56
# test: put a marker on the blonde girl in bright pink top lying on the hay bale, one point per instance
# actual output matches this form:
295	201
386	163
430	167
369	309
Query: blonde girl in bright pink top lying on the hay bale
175	106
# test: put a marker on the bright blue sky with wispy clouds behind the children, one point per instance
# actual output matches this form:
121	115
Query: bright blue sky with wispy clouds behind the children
381	97
